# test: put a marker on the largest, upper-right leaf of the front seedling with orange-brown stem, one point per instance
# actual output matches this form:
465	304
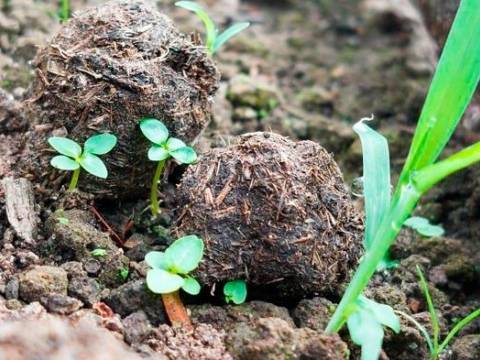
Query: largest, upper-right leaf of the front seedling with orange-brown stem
185	254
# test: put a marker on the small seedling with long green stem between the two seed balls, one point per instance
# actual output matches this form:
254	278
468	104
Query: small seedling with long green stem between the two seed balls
163	148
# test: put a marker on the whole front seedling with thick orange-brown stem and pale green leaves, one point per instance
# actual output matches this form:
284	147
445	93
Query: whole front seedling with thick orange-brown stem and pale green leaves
169	273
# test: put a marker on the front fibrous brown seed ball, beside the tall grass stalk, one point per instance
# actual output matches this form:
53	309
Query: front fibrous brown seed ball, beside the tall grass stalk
272	211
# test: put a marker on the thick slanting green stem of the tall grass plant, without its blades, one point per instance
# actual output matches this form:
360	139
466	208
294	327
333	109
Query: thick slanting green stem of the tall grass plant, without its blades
385	236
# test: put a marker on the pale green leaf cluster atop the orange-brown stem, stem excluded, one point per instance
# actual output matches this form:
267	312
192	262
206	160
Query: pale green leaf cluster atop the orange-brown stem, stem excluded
169	269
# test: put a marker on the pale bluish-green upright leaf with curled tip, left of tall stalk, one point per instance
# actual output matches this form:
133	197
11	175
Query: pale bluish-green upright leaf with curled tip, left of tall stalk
376	178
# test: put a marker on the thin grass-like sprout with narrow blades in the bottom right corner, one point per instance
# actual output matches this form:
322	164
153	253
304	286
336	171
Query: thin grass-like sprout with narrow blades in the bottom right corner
436	347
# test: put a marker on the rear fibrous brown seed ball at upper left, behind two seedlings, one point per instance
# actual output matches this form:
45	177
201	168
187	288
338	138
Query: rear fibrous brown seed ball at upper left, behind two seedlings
107	68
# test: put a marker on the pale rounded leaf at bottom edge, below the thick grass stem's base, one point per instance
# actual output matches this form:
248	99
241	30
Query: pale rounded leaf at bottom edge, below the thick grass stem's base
367	332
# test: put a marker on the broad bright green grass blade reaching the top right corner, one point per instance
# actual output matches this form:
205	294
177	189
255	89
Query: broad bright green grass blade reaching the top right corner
455	80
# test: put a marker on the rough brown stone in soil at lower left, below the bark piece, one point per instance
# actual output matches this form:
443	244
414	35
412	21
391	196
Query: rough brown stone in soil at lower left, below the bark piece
41	281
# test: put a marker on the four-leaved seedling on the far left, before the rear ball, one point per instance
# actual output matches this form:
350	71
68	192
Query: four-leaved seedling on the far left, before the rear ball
74	158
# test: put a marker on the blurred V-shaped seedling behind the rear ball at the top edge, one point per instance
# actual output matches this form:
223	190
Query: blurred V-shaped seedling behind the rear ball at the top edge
214	40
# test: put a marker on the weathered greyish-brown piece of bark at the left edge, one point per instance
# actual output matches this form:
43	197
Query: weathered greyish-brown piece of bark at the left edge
20	206
